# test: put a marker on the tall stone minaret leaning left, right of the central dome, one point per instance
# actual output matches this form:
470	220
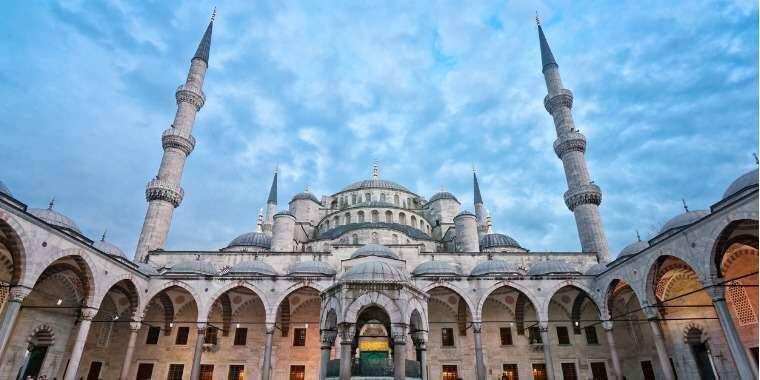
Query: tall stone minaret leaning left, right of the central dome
583	196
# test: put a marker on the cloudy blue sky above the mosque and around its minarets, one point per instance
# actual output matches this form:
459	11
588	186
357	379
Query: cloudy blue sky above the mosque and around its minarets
666	94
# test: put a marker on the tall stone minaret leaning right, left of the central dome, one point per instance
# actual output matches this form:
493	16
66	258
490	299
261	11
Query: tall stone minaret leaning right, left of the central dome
164	192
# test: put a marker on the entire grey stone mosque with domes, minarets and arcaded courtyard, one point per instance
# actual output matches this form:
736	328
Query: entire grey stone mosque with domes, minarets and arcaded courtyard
378	282
